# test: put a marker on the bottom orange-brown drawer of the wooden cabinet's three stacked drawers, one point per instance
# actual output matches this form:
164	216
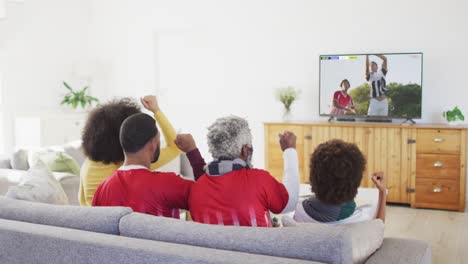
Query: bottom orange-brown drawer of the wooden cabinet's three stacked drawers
437	191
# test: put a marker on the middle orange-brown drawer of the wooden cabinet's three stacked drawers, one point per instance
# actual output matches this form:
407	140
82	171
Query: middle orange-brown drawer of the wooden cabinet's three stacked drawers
438	166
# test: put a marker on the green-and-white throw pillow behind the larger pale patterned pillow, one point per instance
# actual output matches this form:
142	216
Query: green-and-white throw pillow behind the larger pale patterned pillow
55	160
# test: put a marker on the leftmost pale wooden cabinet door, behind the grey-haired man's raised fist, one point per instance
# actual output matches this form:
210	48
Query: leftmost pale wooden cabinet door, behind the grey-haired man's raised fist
273	152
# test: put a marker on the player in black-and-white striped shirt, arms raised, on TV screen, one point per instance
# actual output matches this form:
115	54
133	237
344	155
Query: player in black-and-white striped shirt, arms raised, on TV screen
378	105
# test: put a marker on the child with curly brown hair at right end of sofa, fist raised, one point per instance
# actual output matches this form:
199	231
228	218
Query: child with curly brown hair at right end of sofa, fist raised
336	170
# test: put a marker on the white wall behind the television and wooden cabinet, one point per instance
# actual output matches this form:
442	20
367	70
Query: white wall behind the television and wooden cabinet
207	59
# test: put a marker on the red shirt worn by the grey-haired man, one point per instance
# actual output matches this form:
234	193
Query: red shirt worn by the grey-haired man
242	197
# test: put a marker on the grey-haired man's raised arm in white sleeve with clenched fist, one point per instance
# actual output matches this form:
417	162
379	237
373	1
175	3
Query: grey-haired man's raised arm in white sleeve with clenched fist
291	169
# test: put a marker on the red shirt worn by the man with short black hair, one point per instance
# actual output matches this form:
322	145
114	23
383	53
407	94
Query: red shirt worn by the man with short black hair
148	192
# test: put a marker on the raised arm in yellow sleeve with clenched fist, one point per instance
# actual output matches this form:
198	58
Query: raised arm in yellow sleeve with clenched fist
171	151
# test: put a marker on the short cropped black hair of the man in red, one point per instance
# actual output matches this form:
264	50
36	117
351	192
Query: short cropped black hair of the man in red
136	131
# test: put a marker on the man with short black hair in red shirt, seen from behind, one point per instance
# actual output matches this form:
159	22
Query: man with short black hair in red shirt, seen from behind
134	185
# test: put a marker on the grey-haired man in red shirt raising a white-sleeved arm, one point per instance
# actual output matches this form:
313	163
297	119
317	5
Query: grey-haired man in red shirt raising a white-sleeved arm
232	192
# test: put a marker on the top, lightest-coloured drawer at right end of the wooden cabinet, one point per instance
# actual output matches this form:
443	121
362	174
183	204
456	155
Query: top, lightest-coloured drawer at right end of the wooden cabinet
438	141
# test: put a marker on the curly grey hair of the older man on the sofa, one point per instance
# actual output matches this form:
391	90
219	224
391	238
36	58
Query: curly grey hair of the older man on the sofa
227	135
